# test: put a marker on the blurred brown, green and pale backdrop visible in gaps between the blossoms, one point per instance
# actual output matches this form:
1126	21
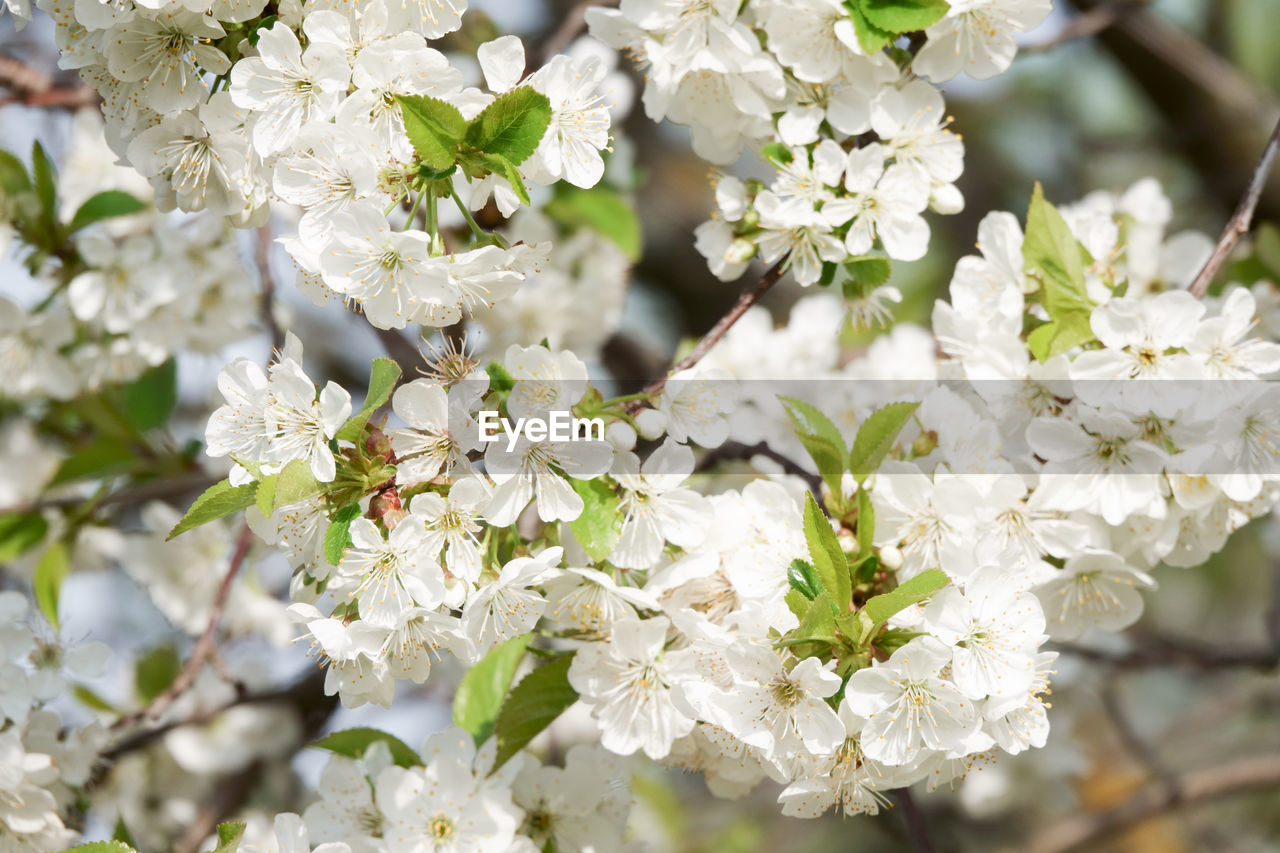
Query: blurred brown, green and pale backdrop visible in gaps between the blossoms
1101	95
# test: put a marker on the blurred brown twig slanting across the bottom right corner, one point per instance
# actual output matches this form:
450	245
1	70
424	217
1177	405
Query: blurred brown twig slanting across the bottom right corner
1186	790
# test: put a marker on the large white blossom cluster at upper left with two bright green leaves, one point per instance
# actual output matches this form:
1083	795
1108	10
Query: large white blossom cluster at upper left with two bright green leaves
230	108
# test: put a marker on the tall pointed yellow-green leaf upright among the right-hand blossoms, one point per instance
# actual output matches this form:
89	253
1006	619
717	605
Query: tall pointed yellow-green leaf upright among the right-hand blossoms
1053	254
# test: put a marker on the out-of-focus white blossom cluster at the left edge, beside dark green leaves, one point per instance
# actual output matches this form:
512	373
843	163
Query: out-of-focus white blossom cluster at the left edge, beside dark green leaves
124	294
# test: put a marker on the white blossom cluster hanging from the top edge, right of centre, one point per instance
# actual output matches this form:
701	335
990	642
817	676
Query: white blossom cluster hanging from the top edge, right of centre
858	136
